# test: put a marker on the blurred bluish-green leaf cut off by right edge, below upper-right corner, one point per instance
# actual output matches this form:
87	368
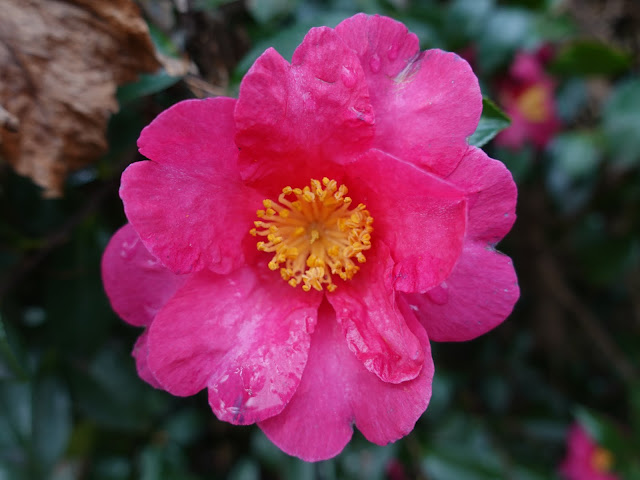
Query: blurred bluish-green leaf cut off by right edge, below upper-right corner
621	123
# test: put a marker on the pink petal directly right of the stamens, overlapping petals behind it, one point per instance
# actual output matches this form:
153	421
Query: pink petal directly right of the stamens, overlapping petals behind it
419	216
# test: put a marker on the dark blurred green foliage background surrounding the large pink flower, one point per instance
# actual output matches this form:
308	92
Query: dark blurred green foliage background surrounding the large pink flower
72	406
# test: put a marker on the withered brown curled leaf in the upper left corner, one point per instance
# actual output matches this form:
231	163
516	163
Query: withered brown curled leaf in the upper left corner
60	64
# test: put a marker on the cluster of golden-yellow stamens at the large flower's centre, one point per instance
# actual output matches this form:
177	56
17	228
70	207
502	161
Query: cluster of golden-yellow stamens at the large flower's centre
314	234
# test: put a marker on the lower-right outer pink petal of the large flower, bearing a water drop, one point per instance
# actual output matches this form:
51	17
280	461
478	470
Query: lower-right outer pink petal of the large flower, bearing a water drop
478	295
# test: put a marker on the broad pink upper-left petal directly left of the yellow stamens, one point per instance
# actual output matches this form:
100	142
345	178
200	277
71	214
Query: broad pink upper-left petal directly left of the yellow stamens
188	205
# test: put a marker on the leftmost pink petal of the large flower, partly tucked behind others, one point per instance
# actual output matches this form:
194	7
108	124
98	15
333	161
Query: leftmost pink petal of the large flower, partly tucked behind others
137	284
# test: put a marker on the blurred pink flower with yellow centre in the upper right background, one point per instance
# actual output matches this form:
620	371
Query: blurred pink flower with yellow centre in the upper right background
527	95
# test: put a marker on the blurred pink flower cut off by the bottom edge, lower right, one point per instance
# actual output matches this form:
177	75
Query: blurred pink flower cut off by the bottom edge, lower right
586	460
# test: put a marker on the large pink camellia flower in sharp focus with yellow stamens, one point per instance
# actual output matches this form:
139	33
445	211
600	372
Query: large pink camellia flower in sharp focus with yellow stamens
293	251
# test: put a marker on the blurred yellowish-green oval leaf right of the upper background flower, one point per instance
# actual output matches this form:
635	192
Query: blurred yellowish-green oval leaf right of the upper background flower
590	57
